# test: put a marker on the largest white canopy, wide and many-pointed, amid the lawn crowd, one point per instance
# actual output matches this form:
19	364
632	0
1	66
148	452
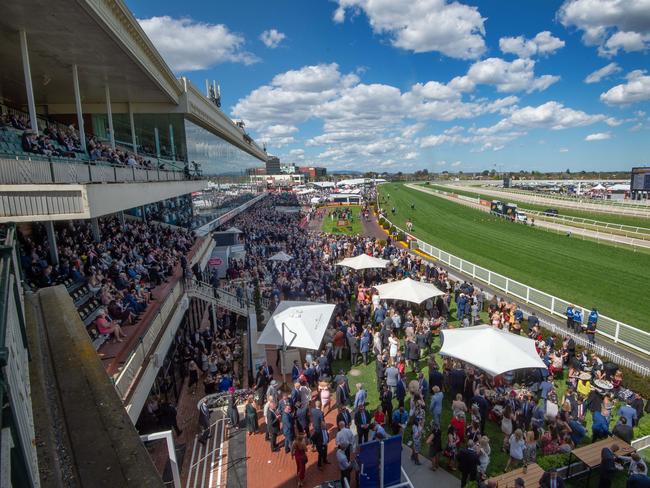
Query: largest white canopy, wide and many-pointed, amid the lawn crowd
492	350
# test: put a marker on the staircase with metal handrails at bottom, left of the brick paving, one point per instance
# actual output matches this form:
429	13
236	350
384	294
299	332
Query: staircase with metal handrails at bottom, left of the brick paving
209	461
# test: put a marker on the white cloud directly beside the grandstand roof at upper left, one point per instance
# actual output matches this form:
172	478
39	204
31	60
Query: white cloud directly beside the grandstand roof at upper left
189	45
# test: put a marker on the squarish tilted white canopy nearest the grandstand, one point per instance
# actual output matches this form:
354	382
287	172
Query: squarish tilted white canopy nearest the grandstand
304	324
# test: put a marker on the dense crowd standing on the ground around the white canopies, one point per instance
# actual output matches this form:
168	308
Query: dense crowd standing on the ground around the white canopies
540	412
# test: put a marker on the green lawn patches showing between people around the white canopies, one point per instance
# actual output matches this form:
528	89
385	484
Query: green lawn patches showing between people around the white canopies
367	376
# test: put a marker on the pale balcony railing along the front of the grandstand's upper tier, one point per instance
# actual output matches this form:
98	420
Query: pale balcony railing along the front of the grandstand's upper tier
35	171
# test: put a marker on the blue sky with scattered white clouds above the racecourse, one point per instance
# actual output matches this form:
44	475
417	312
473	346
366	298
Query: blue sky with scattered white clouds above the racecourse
401	85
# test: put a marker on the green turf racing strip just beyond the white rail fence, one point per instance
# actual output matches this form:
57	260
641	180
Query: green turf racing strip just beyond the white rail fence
614	280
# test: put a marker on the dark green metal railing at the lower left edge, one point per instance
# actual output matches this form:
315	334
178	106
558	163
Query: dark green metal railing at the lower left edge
16	419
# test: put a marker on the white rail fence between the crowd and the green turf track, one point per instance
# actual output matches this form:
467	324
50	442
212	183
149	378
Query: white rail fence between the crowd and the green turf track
613	329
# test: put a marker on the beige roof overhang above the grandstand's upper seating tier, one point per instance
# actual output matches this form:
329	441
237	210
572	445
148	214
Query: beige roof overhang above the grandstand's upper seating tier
103	38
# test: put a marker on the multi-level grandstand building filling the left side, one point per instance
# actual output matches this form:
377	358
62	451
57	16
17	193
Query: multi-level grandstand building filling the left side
96	133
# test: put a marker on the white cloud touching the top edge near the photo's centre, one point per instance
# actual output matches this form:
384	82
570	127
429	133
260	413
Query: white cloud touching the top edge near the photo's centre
451	28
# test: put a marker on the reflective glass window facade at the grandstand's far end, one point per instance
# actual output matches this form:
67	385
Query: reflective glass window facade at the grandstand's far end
216	156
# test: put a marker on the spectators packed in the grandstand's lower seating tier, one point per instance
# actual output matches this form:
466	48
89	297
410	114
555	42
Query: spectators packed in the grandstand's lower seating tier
121	268
